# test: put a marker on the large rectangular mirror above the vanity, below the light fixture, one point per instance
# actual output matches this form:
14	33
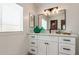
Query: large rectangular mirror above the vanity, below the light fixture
54	21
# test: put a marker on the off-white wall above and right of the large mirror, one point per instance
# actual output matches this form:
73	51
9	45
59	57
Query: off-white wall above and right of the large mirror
72	14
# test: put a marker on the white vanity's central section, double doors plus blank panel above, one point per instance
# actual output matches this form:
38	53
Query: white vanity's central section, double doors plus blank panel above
48	45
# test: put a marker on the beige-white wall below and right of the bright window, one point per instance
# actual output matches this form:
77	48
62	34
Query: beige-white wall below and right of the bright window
16	42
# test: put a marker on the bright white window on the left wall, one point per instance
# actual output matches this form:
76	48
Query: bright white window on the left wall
11	18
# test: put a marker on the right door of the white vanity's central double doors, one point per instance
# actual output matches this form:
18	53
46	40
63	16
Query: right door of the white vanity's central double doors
52	48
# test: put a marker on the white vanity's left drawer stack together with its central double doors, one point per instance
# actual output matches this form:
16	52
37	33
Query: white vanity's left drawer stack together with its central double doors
43	45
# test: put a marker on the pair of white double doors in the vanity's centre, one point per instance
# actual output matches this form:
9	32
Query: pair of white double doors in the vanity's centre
47	47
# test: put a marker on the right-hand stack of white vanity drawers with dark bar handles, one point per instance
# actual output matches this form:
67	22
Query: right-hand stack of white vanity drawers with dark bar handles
67	45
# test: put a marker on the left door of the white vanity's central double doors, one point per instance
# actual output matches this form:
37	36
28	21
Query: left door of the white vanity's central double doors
41	47
